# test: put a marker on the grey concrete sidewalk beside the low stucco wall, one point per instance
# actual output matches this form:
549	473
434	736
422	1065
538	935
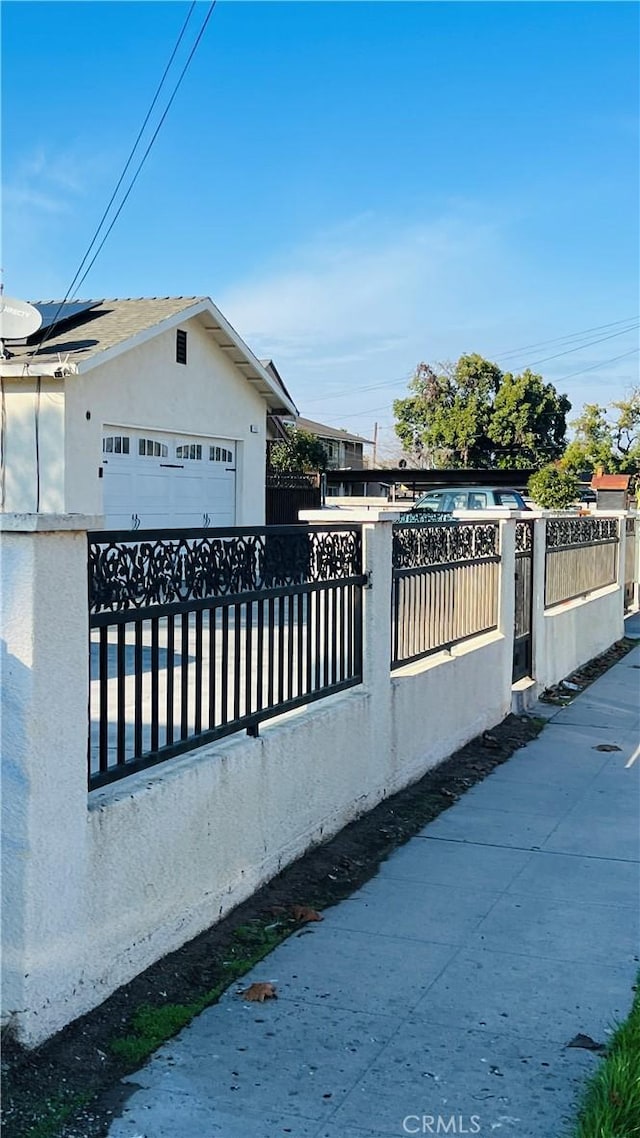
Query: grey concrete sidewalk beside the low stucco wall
449	987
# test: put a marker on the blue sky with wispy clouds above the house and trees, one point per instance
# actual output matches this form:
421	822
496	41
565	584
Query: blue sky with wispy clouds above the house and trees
358	186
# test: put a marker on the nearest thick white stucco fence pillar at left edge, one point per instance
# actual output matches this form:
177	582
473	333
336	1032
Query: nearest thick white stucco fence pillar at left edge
44	736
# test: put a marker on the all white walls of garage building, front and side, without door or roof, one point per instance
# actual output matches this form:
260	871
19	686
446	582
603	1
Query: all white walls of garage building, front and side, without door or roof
141	389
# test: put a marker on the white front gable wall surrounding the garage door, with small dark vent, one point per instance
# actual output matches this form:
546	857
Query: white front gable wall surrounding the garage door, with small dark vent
146	389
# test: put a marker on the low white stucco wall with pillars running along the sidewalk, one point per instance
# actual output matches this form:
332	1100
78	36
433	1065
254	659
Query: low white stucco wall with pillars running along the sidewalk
103	886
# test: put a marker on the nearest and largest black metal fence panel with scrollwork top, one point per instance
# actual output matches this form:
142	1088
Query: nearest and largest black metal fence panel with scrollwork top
202	633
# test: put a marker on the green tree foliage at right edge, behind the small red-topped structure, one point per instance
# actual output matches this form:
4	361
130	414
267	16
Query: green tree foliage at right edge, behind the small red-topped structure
608	438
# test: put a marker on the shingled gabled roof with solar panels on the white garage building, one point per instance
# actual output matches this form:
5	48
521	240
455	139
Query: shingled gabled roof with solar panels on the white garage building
111	328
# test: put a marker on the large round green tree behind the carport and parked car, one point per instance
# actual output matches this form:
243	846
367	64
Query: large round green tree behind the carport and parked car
473	415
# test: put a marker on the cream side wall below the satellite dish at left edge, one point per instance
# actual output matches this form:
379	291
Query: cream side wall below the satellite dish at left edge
34	447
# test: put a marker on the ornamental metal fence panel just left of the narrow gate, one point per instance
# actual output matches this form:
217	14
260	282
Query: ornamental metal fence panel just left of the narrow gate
446	586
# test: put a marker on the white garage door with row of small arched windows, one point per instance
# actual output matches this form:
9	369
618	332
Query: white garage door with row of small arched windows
153	481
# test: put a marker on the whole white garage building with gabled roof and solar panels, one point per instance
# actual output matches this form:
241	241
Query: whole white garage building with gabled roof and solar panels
152	413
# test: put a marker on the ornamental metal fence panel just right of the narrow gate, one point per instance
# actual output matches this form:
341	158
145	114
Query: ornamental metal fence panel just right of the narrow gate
581	556
